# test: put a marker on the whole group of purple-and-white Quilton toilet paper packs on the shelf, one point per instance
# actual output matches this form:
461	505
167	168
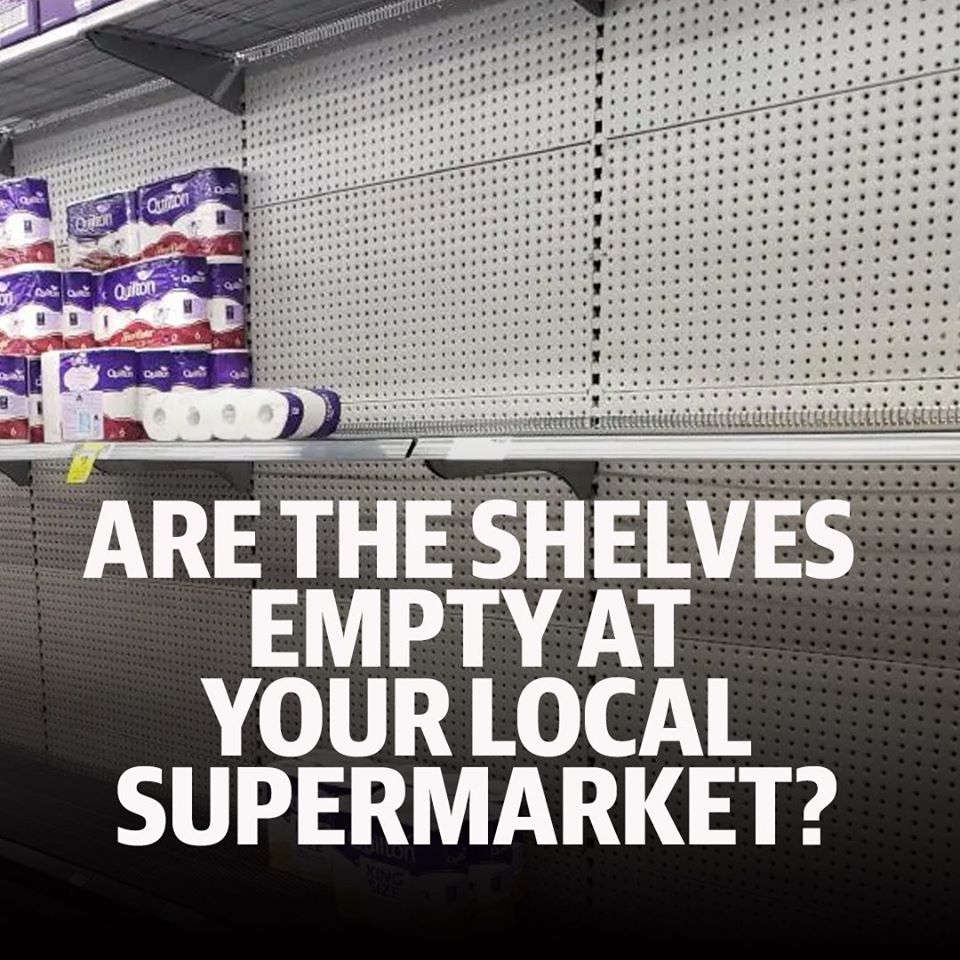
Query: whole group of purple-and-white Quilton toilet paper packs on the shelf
143	334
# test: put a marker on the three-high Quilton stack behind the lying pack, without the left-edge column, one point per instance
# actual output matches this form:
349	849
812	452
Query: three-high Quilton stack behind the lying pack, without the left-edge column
142	306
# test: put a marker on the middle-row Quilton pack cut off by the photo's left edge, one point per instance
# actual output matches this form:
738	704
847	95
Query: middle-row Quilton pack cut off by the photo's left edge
31	305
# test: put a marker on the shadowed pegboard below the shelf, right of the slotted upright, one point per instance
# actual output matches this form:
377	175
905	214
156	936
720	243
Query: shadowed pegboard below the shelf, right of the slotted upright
859	675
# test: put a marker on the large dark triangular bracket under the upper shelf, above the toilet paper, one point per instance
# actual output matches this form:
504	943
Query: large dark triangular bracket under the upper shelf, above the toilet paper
213	74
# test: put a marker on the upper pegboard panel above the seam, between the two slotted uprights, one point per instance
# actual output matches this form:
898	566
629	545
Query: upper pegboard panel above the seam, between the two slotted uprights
475	82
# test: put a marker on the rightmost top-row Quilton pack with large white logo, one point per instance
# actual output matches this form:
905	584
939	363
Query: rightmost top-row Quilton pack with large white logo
197	214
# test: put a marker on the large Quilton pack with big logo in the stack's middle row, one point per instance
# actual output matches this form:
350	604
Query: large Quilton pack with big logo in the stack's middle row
159	303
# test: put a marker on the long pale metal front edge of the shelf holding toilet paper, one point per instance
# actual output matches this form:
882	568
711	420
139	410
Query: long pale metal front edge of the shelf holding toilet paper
920	447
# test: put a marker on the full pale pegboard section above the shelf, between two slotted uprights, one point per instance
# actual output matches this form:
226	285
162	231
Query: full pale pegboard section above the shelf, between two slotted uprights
421	214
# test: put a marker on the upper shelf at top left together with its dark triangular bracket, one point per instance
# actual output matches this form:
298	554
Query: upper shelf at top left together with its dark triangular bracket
134	47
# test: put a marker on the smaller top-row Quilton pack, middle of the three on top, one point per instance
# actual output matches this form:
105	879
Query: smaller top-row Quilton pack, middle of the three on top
103	233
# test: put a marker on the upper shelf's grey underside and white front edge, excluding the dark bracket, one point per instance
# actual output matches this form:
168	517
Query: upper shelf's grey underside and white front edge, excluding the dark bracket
60	71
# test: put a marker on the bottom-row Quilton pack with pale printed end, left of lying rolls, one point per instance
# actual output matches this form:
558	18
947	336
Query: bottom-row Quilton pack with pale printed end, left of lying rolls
91	395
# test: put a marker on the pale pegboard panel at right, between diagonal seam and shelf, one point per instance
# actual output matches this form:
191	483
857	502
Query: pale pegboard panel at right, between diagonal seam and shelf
796	260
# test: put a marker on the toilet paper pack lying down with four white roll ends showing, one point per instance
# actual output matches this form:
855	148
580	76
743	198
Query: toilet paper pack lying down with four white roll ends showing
232	414
